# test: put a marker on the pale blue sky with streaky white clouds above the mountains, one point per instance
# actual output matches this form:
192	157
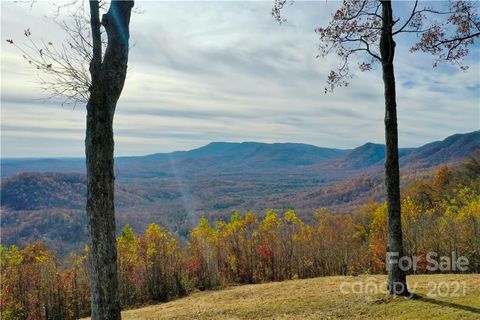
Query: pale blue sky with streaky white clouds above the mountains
226	71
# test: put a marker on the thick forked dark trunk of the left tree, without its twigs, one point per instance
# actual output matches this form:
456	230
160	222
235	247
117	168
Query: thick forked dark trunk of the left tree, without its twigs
108	78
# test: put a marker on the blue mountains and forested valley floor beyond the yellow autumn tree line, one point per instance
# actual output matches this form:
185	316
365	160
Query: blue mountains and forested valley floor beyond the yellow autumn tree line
39	196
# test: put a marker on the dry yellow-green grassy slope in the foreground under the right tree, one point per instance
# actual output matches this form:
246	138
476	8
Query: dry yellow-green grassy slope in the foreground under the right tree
451	297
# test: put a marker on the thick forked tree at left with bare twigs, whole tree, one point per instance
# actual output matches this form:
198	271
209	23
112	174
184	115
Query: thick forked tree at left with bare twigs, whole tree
91	67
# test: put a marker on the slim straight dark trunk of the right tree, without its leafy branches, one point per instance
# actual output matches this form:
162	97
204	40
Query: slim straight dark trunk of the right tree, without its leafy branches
396	277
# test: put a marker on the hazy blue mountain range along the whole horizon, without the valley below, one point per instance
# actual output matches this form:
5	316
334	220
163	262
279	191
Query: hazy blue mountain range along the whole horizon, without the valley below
228	158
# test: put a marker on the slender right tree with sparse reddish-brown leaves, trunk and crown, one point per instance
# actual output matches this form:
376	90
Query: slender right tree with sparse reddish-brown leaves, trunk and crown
370	27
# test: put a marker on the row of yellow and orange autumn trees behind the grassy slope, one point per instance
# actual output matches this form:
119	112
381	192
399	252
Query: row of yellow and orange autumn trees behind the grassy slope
441	215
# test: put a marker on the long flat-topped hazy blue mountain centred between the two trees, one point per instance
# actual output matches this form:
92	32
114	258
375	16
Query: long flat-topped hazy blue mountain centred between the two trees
227	158
